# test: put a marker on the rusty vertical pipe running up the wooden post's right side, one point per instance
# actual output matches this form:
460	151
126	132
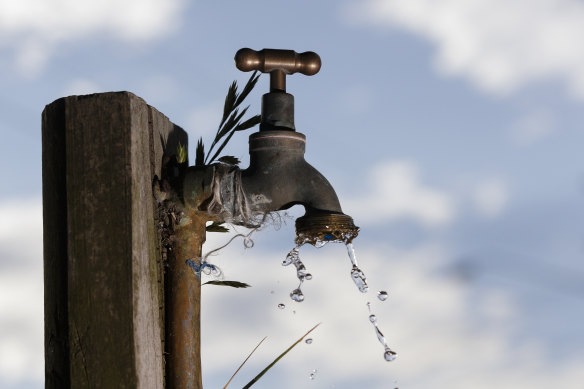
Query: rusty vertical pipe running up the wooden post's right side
183	361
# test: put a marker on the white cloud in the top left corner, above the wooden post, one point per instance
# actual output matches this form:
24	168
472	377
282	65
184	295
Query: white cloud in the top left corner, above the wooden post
32	28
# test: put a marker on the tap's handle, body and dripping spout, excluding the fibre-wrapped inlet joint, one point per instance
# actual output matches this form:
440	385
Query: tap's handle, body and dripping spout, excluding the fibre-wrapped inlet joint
278	176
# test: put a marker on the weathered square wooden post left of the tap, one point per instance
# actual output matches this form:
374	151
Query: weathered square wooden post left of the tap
104	304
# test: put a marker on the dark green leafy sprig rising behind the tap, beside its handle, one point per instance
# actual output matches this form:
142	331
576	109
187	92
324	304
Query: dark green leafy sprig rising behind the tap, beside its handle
232	116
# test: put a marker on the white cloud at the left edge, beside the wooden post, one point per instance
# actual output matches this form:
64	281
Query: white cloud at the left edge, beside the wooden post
21	291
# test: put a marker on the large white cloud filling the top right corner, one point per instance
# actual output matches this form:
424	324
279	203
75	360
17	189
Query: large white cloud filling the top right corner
500	45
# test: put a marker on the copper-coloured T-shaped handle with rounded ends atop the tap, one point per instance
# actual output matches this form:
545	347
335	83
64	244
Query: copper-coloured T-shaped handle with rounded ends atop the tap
278	63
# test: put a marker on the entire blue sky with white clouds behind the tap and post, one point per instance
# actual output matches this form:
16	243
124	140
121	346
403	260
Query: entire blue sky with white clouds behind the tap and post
451	131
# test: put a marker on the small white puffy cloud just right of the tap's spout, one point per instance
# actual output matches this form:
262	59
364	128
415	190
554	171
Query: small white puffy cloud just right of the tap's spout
395	192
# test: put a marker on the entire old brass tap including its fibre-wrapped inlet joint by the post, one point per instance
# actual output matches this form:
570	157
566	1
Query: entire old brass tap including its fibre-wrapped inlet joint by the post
278	176
